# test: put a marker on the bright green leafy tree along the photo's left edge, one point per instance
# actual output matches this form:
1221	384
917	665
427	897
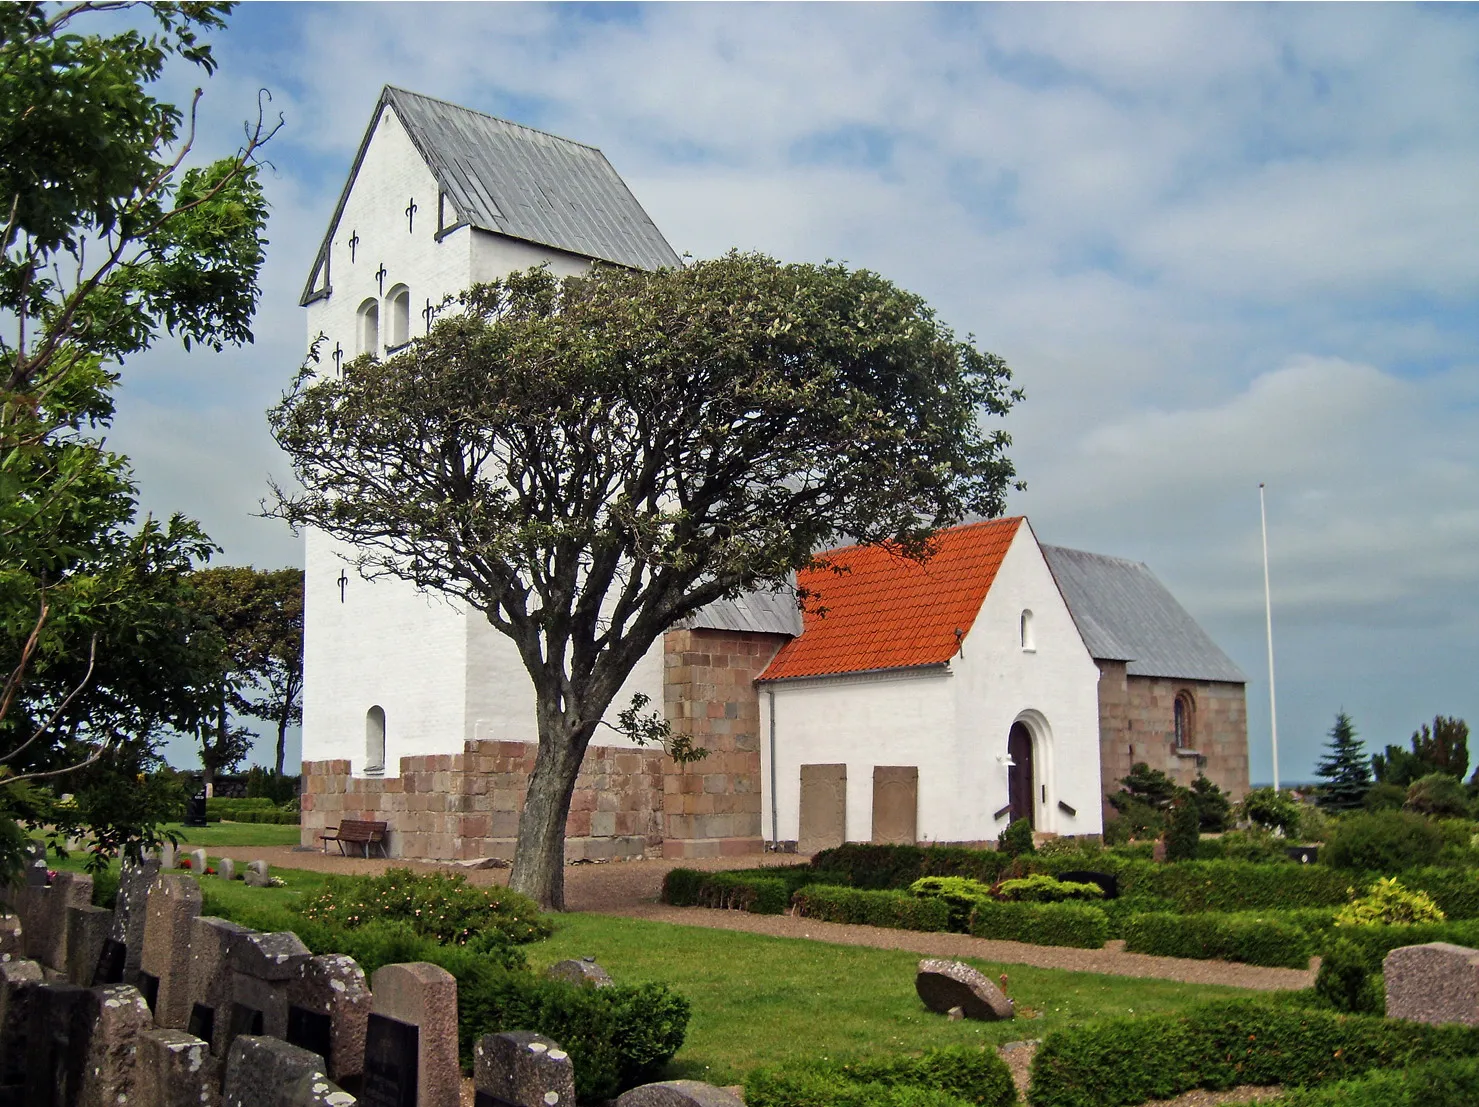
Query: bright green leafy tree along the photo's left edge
107	242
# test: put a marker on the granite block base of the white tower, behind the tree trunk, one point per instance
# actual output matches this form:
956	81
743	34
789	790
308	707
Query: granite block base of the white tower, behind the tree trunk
467	806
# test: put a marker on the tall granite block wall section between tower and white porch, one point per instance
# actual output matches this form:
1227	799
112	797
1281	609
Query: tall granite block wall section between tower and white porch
712	807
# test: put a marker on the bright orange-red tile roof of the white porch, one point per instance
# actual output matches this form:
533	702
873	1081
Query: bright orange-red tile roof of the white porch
893	613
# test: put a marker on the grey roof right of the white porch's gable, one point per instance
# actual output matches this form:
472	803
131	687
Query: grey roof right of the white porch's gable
1126	615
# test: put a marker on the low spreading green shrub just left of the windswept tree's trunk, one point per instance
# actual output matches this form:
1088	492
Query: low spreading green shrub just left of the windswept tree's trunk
437	905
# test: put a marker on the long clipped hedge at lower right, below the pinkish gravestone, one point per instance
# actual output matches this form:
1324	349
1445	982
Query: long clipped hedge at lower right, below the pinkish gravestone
1221	1046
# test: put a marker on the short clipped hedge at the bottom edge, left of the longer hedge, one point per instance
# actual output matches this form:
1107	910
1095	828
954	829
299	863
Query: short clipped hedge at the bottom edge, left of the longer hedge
940	1078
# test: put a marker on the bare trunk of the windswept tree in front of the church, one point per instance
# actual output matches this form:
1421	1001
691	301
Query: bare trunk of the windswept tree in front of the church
539	859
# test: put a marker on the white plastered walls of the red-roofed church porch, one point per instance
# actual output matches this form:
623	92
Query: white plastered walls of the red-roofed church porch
953	723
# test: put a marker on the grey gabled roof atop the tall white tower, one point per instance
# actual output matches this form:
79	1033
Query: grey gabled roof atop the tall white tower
523	183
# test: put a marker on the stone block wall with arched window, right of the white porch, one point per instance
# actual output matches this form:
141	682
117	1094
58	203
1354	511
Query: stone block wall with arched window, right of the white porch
1138	723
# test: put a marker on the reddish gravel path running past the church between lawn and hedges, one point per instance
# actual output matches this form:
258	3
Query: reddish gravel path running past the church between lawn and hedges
631	889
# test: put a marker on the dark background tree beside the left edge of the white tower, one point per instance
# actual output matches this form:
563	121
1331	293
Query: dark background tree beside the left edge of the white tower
260	615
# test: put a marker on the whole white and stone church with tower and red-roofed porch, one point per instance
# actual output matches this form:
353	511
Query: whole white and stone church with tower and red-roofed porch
933	704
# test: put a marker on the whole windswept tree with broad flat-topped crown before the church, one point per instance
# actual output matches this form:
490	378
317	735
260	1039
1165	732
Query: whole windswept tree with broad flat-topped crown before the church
588	461
